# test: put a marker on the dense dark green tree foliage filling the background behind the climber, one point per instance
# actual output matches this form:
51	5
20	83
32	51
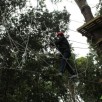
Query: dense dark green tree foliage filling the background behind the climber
28	65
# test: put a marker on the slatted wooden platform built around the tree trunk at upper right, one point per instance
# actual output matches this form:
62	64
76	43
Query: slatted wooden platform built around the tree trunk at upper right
91	26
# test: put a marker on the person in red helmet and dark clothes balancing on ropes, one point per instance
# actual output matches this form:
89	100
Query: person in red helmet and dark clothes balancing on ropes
63	46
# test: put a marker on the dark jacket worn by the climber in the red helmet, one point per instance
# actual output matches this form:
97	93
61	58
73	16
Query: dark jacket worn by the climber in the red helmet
63	45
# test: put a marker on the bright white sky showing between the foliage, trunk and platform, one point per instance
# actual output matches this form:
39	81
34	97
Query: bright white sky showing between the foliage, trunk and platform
77	20
